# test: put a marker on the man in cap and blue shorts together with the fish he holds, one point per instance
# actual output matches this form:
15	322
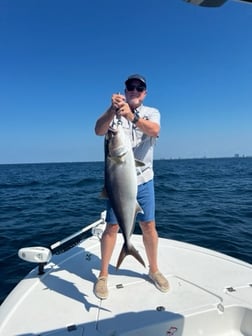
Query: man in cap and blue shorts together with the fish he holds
131	129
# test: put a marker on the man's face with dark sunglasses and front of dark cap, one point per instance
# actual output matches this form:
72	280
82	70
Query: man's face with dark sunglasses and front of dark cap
135	93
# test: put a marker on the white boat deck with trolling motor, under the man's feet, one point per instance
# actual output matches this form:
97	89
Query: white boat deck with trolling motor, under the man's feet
210	294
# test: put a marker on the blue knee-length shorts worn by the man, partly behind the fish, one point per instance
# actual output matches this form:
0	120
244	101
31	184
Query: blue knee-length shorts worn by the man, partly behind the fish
146	200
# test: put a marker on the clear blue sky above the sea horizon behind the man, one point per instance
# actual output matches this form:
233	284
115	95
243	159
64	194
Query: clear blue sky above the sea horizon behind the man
60	62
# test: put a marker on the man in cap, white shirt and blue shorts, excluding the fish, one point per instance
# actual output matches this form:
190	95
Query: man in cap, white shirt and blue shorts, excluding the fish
142	125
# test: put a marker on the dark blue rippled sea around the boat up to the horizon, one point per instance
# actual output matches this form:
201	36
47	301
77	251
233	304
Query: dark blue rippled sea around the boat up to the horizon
207	202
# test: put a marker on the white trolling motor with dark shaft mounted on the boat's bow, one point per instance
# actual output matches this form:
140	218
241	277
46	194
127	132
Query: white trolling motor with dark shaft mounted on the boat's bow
42	255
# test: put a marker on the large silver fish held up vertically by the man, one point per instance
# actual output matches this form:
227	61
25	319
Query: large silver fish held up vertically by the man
121	186
